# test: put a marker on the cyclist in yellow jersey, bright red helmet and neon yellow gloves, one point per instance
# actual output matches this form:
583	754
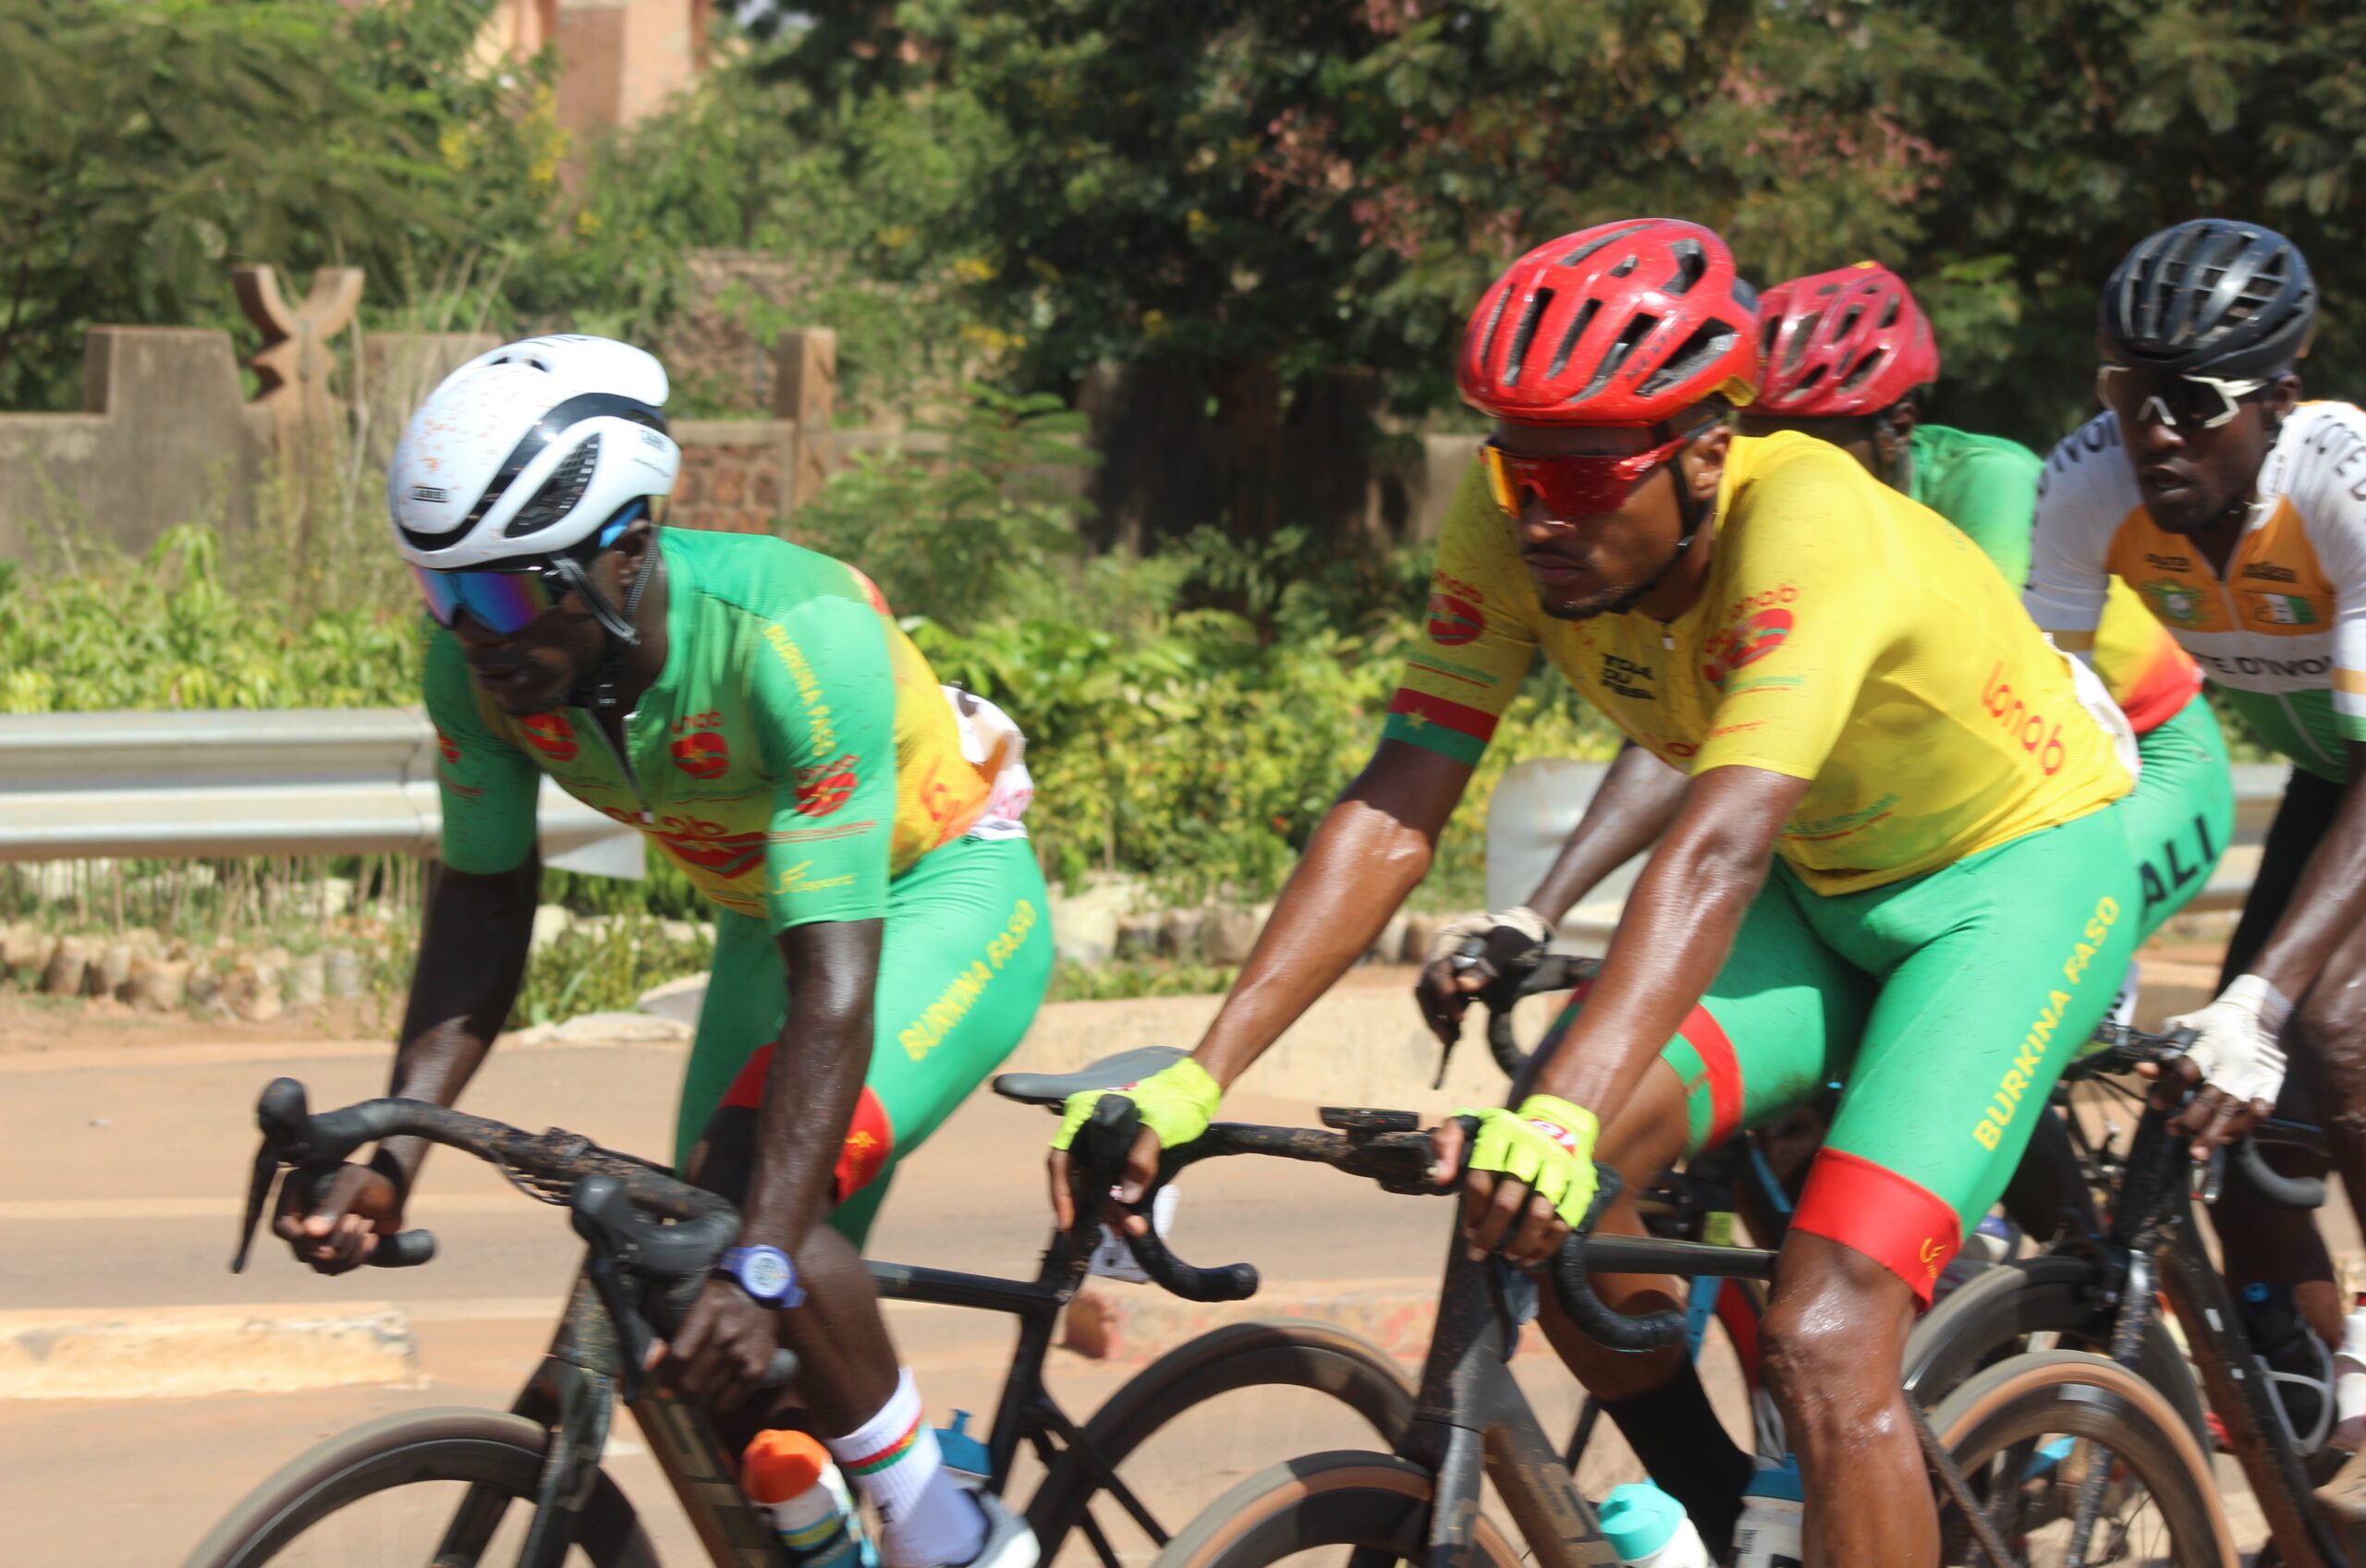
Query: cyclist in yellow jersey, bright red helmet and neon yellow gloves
1894	864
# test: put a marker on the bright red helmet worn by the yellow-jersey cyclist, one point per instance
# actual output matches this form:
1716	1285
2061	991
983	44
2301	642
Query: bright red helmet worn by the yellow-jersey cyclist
1617	325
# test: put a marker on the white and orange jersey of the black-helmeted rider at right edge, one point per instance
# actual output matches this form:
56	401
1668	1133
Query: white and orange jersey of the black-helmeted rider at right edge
2284	630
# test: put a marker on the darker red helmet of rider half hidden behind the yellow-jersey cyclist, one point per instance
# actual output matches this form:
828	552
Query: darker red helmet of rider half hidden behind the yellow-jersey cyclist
1840	344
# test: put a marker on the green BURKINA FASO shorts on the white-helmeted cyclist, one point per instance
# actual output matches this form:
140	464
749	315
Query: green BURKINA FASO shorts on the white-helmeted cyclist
964	966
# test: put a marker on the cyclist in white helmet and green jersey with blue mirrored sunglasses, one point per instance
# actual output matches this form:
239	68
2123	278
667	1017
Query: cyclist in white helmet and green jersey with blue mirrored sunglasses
761	718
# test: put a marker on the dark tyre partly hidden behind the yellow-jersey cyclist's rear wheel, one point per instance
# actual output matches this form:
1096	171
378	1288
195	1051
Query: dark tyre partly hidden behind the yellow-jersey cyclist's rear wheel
1986	1321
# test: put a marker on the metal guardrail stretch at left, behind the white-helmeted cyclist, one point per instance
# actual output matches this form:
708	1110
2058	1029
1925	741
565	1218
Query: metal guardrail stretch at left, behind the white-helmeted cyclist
285	782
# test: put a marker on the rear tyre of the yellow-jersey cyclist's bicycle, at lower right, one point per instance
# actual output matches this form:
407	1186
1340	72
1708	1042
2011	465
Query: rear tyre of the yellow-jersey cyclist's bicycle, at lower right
2090	1397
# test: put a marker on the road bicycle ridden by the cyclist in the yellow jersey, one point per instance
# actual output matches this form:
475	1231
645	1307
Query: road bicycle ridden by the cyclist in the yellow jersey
2010	1451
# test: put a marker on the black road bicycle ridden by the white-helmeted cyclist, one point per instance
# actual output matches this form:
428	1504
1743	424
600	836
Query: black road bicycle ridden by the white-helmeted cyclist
526	1486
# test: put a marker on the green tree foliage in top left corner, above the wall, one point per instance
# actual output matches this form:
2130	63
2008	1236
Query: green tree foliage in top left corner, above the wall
148	145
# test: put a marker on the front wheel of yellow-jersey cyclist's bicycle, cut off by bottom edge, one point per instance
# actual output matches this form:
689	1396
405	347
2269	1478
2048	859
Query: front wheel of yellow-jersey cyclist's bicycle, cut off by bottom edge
1321	1510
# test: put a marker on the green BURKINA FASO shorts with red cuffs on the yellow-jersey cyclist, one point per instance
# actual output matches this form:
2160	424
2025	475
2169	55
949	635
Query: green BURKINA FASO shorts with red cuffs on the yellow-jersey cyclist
1946	1006
